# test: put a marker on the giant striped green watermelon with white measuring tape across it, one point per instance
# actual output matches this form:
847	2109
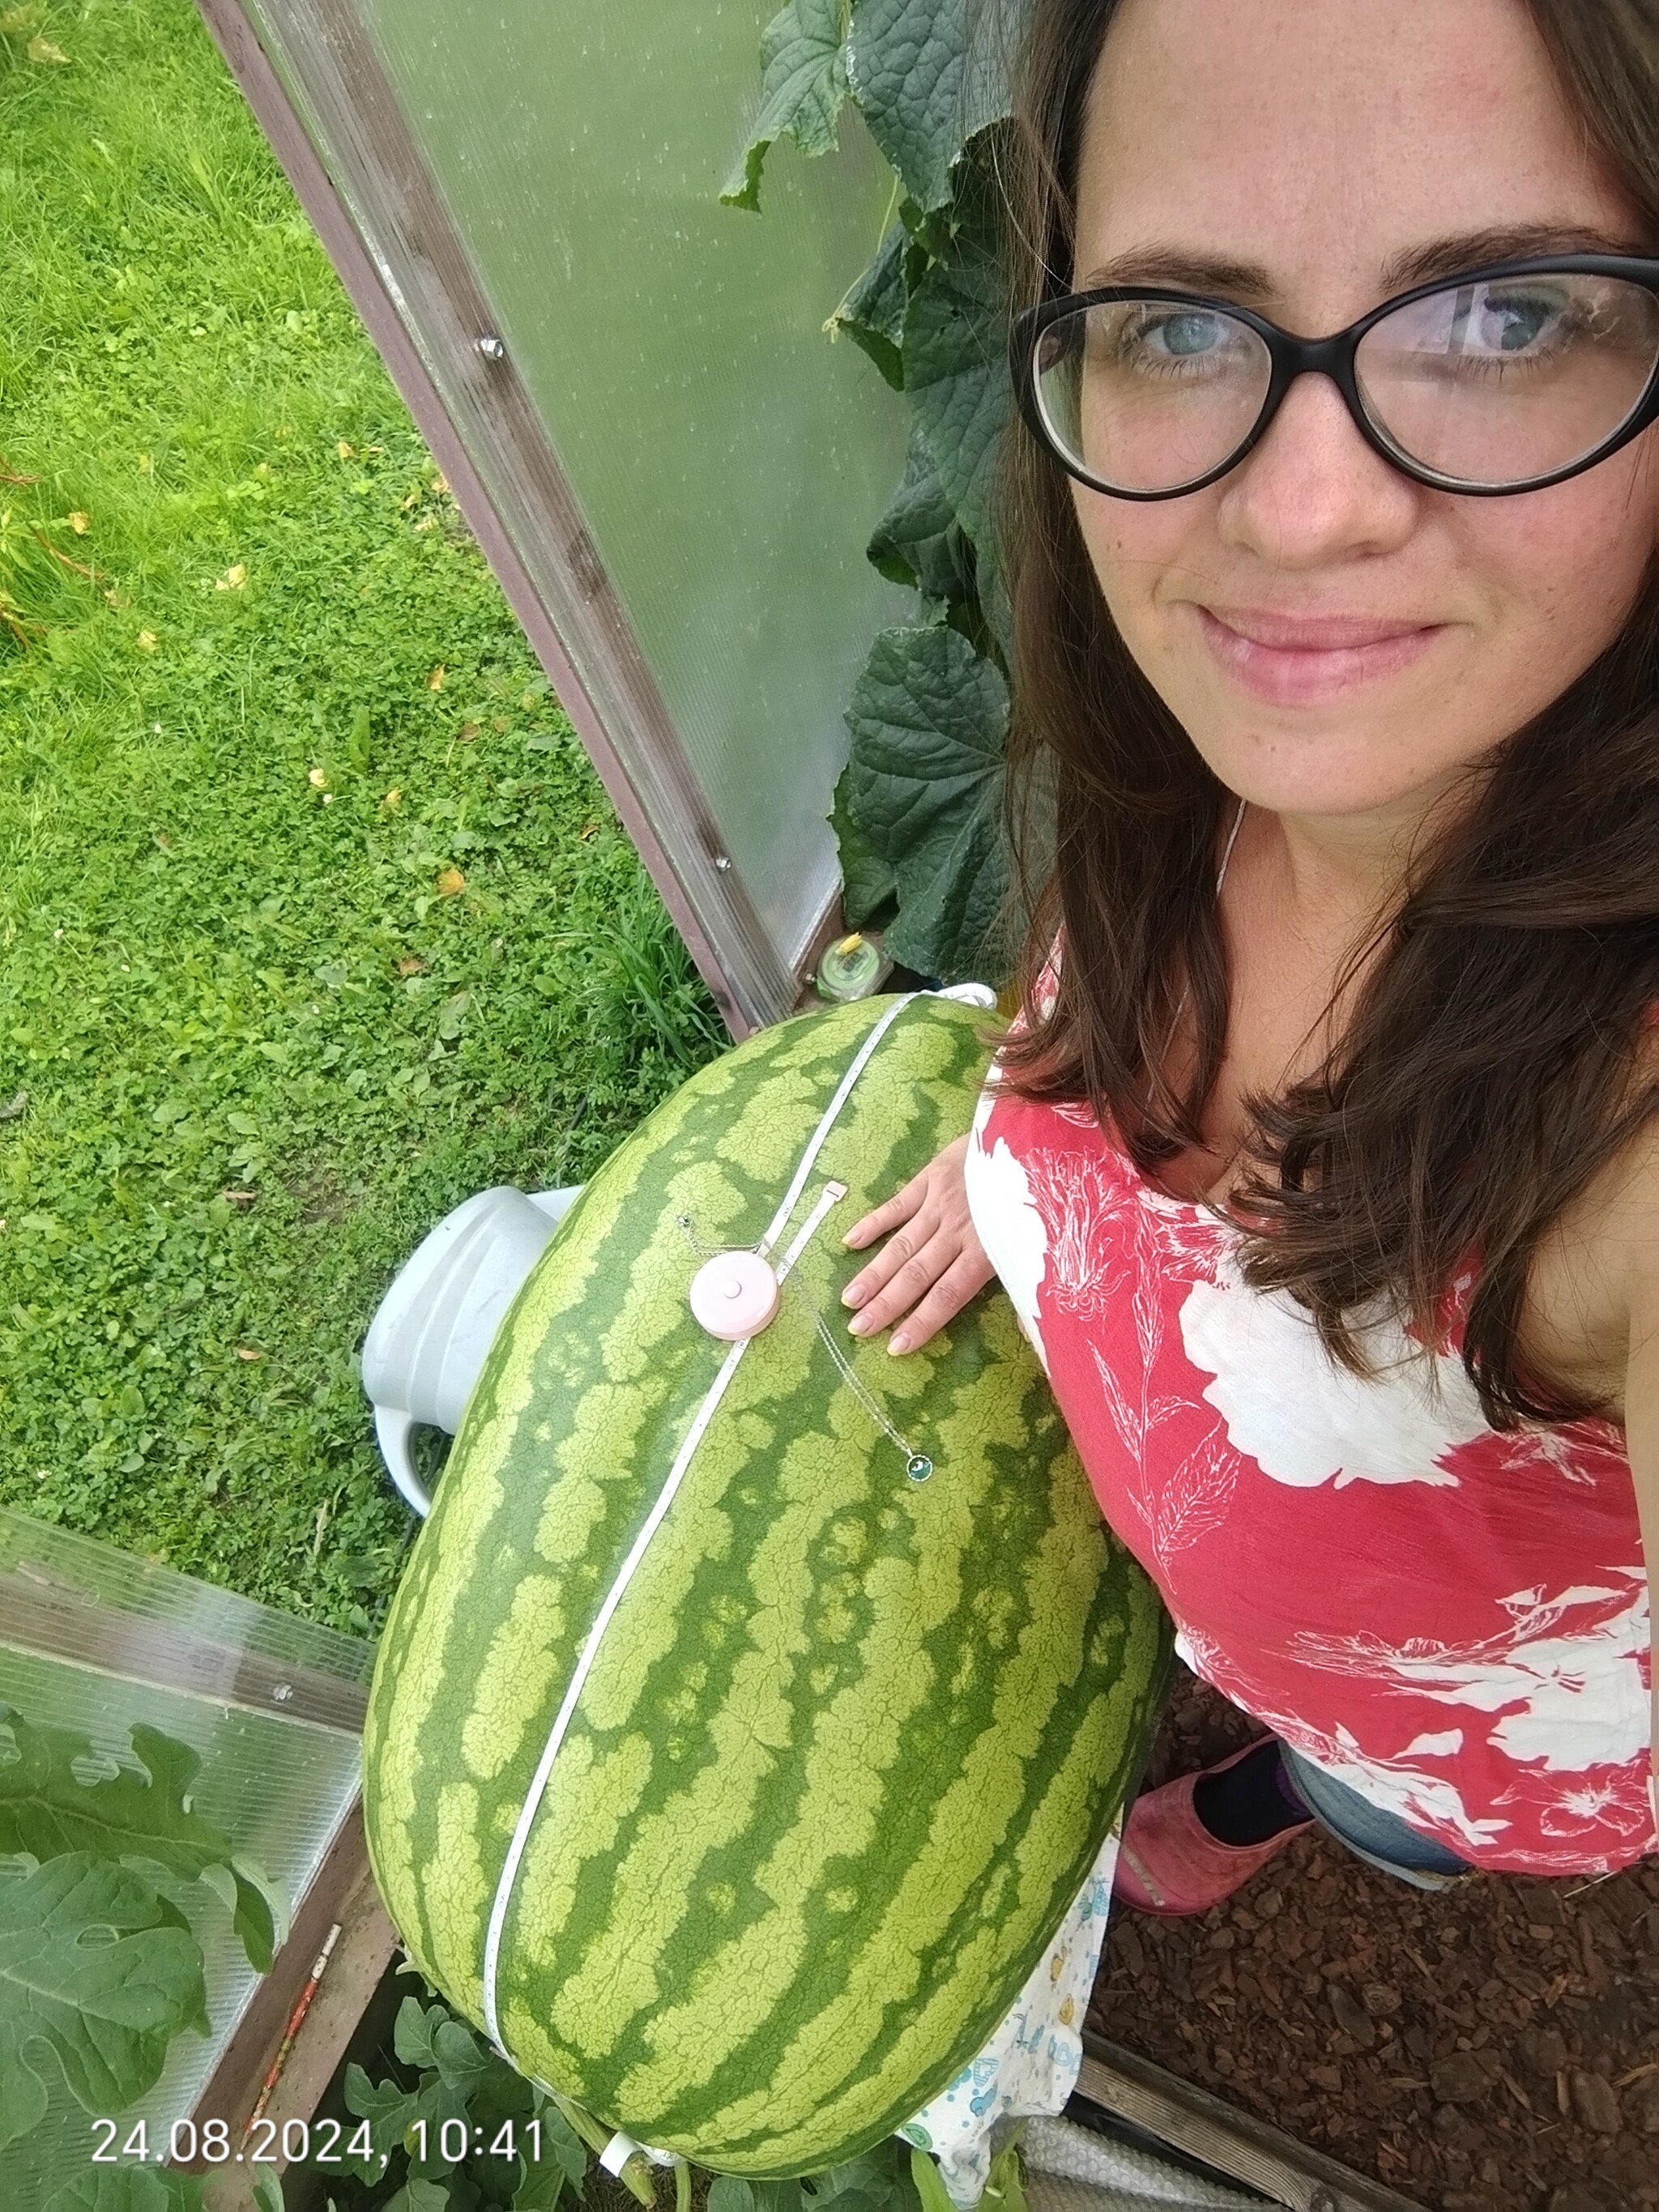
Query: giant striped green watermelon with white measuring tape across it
738	1788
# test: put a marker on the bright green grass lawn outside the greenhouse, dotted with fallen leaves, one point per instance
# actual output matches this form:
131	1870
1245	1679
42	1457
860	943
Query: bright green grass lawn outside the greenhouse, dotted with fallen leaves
313	917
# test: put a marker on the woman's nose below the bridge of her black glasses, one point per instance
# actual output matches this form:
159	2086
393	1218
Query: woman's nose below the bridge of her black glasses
1315	490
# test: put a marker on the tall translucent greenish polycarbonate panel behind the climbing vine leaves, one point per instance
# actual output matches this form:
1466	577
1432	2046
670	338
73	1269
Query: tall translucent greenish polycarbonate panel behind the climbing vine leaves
731	461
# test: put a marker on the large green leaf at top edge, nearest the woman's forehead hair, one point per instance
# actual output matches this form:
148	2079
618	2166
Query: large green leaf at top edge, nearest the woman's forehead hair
928	76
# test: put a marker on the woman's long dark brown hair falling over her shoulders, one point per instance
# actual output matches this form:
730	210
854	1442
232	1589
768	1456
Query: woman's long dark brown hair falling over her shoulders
1490	1063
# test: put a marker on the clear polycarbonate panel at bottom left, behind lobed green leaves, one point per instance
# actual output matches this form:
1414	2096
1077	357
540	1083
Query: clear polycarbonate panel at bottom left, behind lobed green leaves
273	1782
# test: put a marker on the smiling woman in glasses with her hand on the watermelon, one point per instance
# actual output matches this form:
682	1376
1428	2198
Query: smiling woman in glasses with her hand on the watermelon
1324	1165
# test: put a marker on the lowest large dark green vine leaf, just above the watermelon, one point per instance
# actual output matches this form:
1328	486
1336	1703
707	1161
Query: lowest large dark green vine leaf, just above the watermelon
930	722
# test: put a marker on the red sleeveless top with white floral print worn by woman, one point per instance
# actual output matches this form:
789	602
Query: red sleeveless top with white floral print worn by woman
1450	1620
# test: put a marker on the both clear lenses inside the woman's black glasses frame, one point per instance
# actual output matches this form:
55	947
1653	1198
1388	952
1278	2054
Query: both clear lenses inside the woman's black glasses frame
1490	384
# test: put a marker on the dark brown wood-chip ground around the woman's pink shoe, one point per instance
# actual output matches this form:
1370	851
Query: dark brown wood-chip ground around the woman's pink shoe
1488	2049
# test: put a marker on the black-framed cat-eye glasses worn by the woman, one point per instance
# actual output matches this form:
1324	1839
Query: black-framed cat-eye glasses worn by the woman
1505	379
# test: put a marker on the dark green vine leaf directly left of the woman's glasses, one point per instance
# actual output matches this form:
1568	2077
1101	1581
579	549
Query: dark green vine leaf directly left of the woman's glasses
957	373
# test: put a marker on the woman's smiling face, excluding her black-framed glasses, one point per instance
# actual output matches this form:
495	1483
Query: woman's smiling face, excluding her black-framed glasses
1335	638
